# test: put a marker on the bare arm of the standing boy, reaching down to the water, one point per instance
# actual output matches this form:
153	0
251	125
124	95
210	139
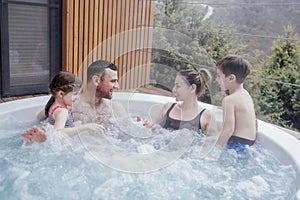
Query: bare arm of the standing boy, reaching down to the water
228	121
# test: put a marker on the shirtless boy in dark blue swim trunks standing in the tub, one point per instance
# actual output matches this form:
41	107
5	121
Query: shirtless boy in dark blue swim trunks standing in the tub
239	121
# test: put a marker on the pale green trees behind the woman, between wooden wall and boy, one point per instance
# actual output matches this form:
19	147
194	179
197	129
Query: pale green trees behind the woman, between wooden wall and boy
201	47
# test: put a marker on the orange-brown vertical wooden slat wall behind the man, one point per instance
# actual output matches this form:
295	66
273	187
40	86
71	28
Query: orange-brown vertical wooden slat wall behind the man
113	30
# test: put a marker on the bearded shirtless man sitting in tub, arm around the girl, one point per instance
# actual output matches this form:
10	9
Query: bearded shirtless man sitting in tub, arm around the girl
93	103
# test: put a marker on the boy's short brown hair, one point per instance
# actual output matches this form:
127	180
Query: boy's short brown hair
234	64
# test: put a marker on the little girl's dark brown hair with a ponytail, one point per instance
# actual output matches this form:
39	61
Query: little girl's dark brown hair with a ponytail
62	81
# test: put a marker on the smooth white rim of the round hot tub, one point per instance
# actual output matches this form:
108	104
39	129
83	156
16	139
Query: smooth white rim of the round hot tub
285	147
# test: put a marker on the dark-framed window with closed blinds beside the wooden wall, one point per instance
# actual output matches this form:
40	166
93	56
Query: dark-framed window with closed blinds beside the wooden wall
30	45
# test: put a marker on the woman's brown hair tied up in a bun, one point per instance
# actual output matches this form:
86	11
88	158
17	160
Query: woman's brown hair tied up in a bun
200	78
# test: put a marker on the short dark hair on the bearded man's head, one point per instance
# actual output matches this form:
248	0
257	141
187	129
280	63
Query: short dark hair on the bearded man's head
98	68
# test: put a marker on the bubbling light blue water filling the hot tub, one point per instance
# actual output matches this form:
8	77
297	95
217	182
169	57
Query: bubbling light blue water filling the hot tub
62	168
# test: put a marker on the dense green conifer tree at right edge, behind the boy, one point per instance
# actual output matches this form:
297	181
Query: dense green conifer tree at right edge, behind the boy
279	99
